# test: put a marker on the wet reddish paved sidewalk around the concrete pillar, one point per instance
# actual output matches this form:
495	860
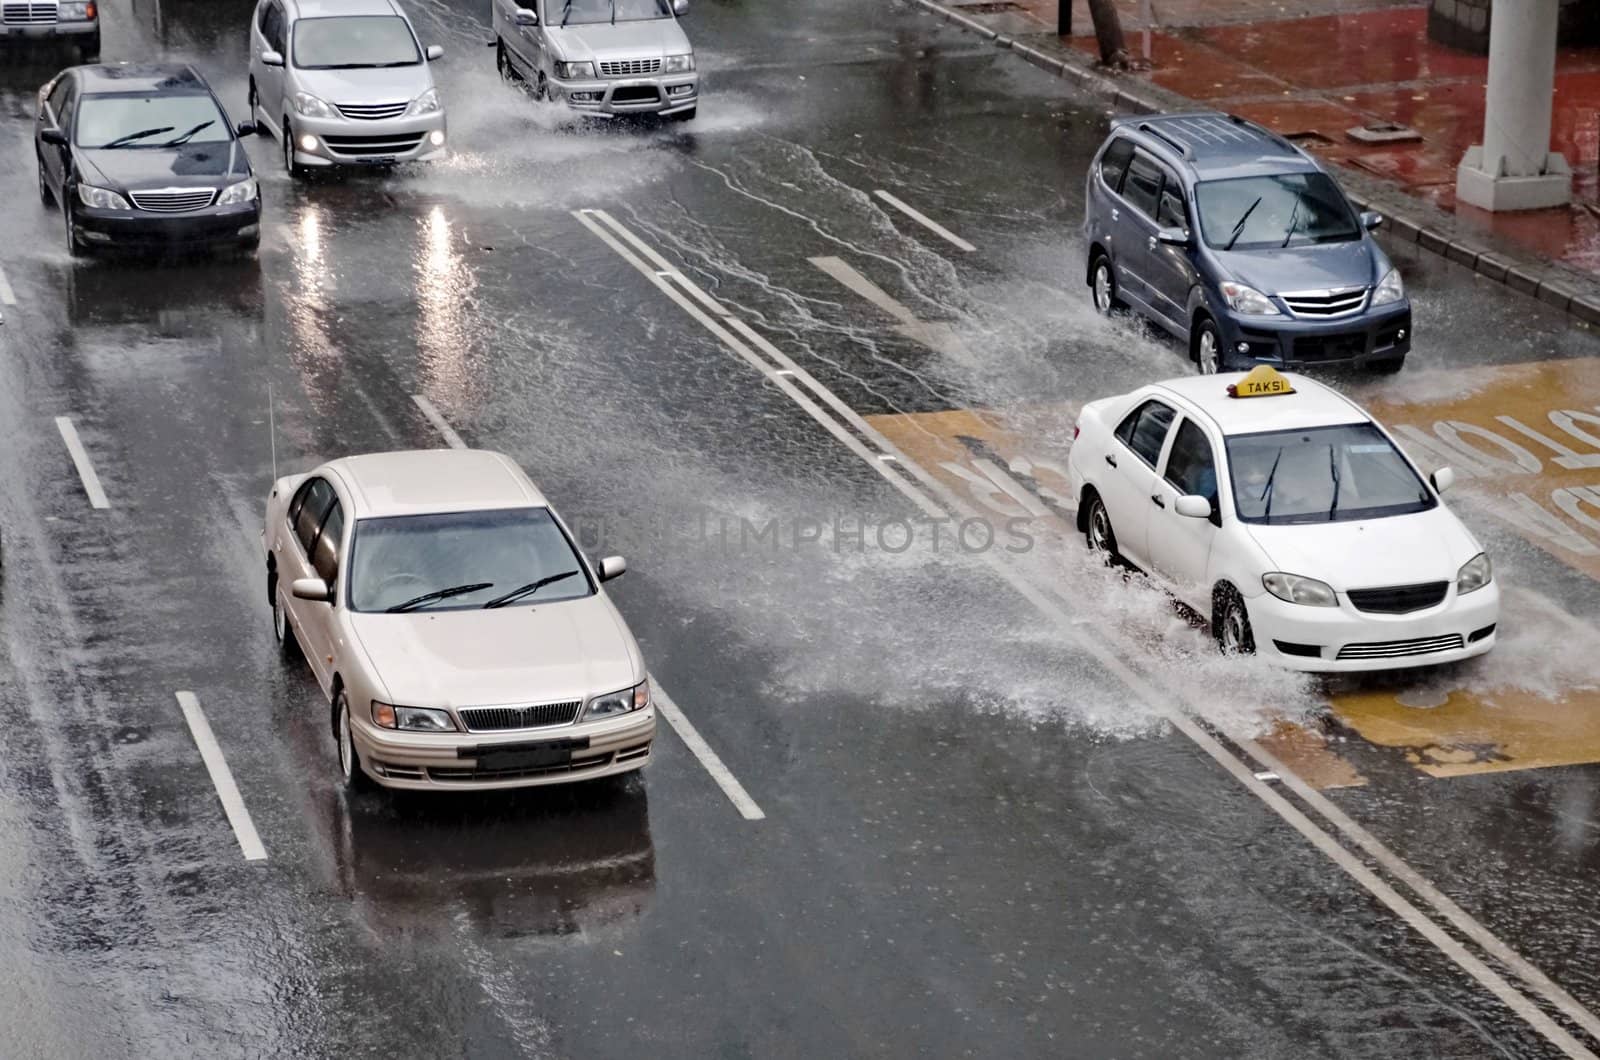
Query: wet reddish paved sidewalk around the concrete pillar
1314	70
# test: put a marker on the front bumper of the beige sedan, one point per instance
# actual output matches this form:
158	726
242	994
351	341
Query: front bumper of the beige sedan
454	761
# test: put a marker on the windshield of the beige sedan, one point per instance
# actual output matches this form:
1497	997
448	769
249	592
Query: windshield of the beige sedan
463	561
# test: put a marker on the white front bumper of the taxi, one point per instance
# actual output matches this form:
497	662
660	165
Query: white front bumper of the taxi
1343	640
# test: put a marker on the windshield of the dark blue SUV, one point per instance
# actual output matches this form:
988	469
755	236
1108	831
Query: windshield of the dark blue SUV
1284	211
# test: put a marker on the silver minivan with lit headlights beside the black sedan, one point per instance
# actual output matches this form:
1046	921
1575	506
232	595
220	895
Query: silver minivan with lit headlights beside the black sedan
343	82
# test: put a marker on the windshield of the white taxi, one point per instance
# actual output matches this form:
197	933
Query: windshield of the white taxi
1322	475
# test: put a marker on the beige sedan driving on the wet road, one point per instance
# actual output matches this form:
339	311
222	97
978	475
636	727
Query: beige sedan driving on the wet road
462	638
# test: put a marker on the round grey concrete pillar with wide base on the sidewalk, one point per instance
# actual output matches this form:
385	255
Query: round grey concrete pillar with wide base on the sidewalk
1514	167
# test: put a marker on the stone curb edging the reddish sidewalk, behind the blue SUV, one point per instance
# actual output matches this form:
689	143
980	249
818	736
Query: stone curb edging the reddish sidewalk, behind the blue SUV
1529	276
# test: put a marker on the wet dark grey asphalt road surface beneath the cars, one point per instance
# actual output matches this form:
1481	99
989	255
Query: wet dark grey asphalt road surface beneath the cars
977	838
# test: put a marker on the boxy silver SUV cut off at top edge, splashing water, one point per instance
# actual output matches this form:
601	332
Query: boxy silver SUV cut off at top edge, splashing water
601	57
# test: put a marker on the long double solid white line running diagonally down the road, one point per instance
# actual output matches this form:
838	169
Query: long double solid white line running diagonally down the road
1162	696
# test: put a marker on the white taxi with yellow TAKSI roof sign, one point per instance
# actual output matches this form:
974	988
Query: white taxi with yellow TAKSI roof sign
1282	512
